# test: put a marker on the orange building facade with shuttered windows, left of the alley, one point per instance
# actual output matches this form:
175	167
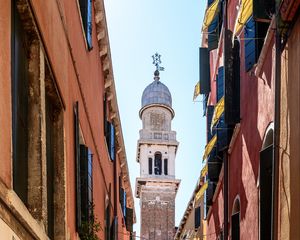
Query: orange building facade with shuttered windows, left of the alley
64	172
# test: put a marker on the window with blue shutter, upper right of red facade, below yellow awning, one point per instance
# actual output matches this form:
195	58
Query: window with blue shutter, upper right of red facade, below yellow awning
254	33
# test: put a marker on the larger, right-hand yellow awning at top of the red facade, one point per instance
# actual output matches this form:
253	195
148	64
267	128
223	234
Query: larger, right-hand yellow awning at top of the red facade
245	12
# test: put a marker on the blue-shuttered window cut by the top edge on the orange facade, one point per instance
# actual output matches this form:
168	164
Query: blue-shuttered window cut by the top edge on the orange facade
86	17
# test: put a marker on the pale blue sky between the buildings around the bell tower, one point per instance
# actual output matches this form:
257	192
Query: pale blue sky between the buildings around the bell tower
137	30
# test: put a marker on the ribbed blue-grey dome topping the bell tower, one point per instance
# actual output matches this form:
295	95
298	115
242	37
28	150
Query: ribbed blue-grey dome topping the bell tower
156	93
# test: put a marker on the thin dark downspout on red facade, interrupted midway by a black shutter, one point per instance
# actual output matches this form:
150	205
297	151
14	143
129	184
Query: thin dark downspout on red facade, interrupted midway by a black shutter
225	157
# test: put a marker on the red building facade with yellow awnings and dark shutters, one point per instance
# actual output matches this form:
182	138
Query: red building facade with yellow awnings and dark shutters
238	48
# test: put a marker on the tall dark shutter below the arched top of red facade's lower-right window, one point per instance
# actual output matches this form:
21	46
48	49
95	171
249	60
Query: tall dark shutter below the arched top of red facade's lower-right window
265	185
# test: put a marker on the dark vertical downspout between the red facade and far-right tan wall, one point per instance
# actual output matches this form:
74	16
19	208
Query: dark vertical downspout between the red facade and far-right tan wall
276	140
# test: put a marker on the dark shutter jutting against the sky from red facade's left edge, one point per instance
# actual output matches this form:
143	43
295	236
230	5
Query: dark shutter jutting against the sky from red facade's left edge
204	71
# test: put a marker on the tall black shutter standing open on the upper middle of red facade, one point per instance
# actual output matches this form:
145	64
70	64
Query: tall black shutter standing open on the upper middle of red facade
232	80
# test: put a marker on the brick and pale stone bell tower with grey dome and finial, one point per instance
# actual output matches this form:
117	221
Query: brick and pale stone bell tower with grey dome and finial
156	151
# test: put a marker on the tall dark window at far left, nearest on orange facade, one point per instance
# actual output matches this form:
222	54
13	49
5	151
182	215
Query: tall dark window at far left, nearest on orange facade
20	105
